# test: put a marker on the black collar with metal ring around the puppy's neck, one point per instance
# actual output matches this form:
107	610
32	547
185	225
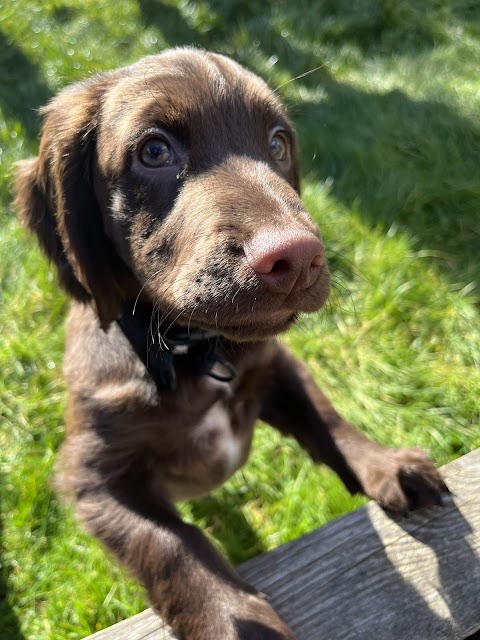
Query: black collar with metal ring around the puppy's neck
164	348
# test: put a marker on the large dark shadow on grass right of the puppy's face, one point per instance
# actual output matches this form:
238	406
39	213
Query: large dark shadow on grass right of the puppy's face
399	163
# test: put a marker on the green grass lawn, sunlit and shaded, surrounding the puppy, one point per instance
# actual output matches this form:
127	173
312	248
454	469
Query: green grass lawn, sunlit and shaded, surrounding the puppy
390	135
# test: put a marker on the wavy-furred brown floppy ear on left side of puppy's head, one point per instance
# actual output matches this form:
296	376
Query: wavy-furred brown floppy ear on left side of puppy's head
56	199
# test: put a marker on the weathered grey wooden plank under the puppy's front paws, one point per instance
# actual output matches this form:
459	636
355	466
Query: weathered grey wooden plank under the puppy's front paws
368	575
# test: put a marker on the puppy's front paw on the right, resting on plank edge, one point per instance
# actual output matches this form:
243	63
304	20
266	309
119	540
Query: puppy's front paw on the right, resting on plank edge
402	480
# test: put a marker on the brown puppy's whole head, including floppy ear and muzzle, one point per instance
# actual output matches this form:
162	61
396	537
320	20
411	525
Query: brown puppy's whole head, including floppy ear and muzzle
176	179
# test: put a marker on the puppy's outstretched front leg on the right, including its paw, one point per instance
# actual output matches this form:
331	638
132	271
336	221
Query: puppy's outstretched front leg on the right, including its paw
398	479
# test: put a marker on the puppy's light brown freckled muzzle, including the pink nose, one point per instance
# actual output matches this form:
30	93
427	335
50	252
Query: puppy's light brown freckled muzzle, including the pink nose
248	257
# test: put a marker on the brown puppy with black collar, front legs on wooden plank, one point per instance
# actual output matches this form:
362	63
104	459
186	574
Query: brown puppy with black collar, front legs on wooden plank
167	194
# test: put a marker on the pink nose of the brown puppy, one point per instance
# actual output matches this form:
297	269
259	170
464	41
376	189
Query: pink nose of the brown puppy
285	261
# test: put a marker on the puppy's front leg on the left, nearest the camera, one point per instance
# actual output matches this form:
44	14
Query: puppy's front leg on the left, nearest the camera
192	587
